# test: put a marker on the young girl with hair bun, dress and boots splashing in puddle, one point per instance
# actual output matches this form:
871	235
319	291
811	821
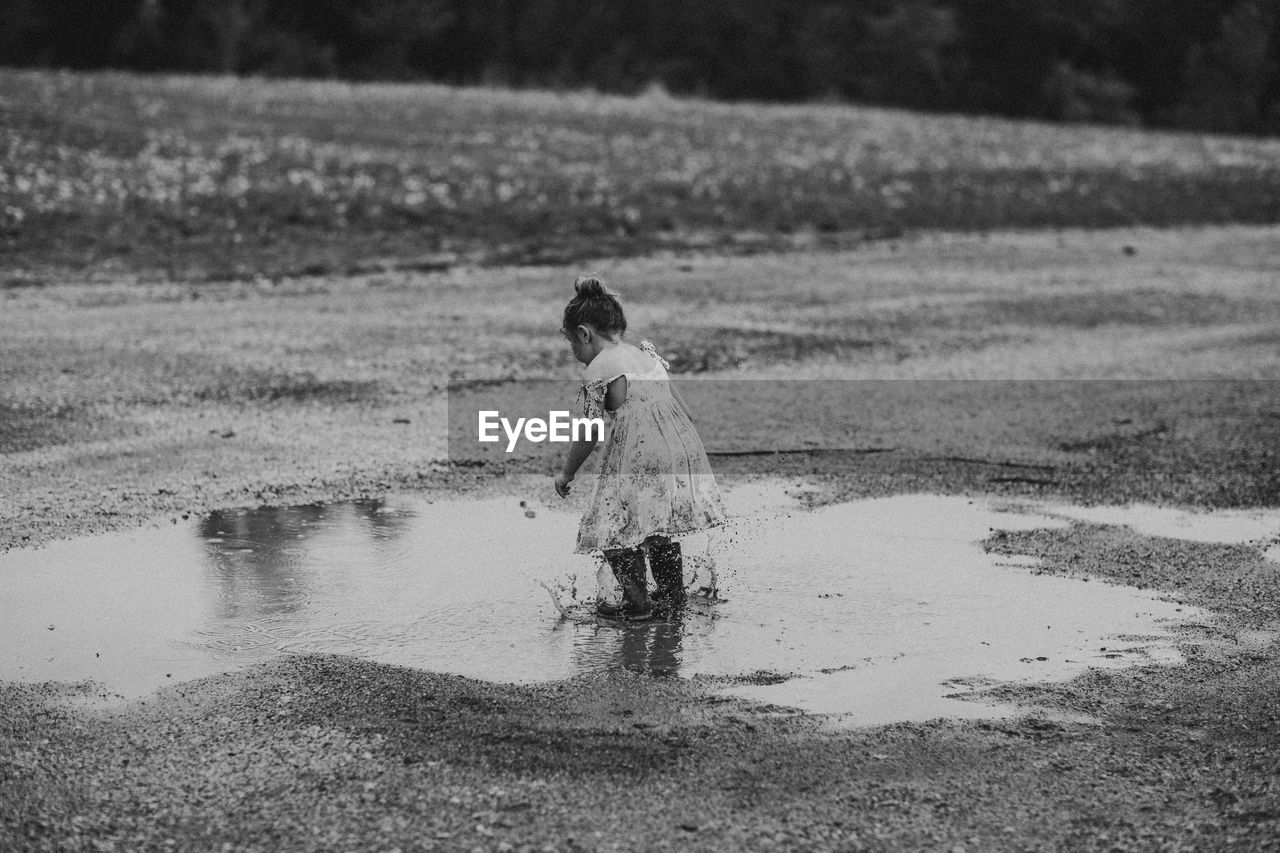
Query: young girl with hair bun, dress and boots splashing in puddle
655	481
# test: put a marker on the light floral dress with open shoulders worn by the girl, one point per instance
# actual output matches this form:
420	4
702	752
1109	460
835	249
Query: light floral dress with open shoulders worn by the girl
655	478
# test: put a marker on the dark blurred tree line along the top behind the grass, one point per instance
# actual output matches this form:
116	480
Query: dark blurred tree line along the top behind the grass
1205	65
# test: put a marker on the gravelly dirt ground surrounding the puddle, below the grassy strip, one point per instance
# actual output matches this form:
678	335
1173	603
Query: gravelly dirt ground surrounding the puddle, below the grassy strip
1119	366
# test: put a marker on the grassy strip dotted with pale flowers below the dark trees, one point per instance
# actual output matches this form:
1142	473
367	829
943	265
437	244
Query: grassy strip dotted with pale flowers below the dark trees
198	179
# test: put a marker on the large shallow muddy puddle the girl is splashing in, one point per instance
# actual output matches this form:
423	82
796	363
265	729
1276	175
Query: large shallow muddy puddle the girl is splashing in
874	612
